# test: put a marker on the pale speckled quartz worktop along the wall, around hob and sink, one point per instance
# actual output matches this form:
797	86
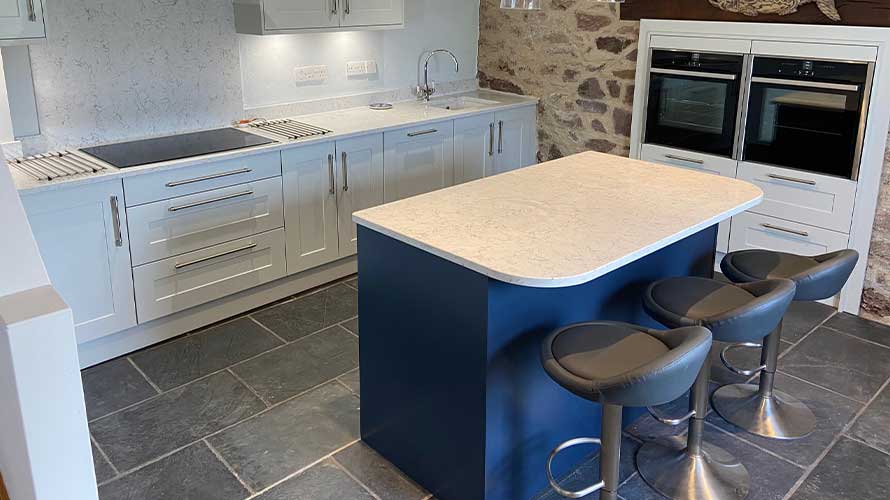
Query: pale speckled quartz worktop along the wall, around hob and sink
343	123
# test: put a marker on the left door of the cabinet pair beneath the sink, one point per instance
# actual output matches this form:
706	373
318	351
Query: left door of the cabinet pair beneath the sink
474	147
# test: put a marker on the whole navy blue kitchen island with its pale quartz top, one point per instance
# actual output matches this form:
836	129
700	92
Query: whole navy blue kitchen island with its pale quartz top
458	287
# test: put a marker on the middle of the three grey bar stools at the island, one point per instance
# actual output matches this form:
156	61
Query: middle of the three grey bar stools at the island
733	313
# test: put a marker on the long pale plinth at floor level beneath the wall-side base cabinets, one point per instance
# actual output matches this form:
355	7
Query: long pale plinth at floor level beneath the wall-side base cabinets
138	337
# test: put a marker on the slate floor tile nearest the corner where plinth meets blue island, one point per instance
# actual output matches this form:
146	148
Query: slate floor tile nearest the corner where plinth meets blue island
309	314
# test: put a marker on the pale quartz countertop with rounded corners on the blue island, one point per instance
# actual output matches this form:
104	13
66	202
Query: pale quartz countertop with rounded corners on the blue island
564	222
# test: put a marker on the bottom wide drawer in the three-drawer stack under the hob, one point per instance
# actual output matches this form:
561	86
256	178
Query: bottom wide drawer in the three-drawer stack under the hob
195	278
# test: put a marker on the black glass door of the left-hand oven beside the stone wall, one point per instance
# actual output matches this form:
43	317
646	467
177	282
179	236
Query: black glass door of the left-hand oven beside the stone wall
693	112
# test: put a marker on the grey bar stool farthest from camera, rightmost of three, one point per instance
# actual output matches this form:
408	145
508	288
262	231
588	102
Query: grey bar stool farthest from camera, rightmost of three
759	408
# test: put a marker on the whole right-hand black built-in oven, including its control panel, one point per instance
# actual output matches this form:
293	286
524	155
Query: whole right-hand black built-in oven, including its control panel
807	114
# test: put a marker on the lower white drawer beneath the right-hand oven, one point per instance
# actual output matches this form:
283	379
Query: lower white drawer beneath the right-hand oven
750	230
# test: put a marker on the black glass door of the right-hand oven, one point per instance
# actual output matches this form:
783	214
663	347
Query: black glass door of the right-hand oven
805	125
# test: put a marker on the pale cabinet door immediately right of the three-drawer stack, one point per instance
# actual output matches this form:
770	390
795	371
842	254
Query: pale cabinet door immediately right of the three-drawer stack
310	206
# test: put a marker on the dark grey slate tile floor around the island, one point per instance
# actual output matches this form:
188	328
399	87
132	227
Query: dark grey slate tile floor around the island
265	406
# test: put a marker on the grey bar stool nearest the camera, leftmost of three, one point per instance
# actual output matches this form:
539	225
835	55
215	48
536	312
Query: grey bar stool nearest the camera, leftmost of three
617	365
